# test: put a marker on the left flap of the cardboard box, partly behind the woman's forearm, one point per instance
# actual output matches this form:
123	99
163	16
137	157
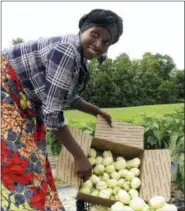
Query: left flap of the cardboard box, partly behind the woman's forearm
65	168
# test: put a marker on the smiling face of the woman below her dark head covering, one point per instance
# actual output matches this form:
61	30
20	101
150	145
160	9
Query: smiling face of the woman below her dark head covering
95	42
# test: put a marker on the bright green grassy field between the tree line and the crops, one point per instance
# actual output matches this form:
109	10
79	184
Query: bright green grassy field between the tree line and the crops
128	113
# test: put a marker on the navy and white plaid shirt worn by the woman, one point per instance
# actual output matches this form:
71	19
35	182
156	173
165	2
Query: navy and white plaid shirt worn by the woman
49	71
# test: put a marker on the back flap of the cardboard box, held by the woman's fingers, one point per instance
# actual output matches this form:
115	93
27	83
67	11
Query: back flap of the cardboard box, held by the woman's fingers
126	133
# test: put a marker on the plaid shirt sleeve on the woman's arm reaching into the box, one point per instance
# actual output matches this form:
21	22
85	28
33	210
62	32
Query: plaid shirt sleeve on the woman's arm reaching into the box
61	61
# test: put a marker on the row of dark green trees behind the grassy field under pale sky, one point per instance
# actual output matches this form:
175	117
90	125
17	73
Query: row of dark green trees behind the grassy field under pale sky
153	79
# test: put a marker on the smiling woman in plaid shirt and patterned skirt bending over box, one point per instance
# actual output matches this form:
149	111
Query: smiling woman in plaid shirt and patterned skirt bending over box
39	80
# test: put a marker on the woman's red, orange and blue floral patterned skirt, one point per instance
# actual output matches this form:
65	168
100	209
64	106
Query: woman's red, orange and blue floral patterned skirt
27	182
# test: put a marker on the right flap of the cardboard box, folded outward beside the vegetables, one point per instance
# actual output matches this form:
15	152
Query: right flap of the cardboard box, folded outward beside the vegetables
156	174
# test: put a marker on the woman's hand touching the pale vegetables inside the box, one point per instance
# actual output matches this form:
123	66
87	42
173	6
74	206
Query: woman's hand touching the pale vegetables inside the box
83	168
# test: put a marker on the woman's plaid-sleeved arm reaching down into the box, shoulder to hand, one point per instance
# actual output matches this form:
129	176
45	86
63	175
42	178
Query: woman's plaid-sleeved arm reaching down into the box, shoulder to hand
61	60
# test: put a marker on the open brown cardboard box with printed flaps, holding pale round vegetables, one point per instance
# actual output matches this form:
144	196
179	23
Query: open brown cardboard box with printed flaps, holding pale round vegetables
126	140
